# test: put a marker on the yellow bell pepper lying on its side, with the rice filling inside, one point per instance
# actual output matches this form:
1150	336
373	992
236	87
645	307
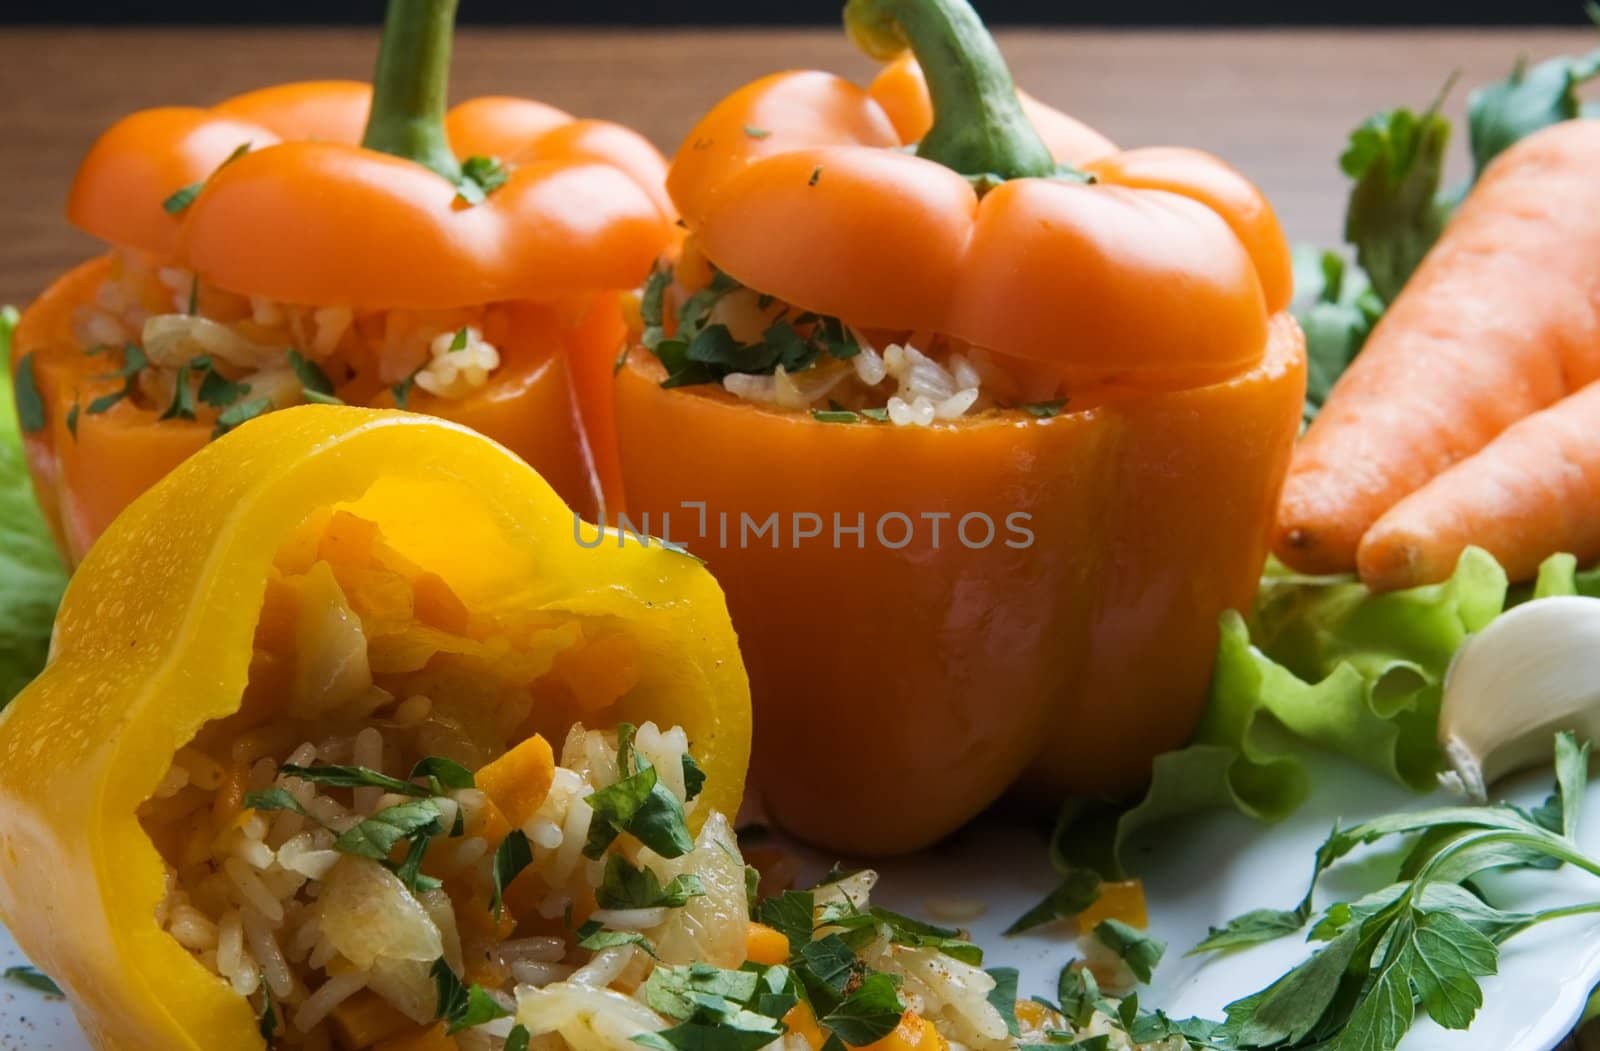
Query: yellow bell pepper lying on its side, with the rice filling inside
345	737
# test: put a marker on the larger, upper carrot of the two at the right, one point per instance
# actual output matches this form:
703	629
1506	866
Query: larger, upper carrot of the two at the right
1502	321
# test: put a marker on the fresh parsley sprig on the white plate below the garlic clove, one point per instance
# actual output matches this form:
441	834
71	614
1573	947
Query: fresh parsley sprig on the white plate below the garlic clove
1426	940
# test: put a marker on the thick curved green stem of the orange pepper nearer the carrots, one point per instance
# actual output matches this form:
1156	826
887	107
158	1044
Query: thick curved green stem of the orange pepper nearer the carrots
978	122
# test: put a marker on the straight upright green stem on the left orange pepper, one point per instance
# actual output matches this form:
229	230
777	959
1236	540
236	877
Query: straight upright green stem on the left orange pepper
412	86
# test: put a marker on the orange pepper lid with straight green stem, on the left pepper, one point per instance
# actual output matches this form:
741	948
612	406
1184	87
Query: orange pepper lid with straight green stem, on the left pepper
350	198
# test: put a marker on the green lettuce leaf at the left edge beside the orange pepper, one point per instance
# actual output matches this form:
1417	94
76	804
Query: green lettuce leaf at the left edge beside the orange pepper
31	572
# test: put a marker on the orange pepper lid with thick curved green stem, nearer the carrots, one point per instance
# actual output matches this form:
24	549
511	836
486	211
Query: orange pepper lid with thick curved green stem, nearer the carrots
1153	268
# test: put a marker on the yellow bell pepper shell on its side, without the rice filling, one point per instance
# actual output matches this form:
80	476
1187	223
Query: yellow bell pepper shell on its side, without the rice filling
156	636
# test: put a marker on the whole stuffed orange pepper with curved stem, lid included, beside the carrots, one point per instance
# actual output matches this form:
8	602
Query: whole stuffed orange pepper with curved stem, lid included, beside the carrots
980	438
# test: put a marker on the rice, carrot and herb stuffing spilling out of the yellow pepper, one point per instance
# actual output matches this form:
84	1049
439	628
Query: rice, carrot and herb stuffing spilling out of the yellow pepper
382	852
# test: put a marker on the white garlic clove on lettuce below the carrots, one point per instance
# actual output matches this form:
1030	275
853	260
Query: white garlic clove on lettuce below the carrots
1534	673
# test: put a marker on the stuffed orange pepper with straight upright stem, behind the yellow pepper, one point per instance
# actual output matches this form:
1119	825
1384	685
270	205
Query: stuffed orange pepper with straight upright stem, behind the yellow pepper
322	242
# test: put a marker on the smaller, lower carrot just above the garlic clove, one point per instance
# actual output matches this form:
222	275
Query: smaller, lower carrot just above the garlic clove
1530	494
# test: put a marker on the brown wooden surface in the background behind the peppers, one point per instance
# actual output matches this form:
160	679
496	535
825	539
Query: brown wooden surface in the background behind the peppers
1278	105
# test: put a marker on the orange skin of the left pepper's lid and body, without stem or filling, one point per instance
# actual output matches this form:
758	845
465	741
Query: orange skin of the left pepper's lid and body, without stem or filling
311	218
